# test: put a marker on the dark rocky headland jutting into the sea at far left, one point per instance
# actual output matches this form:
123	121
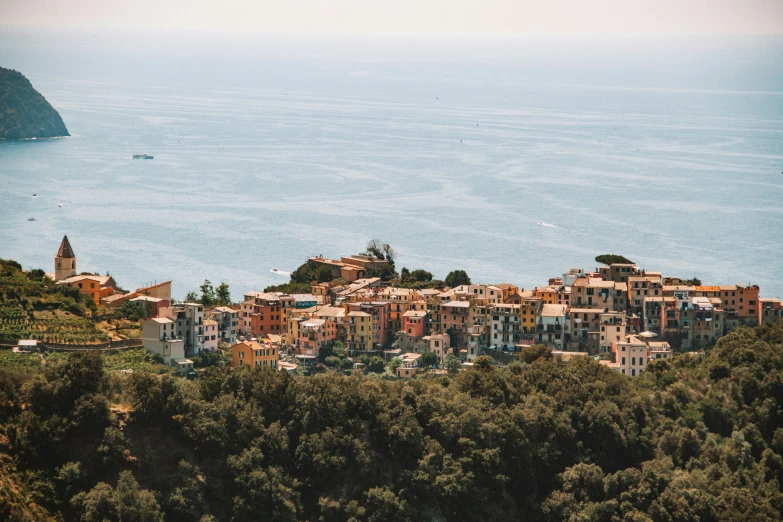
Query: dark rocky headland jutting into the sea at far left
24	112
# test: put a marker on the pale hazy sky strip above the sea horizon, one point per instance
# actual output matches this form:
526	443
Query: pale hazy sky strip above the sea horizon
481	17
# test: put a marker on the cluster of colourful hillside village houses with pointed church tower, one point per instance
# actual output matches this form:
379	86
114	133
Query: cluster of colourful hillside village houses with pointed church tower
629	314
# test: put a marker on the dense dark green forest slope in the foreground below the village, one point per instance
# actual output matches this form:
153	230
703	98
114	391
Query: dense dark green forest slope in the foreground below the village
699	438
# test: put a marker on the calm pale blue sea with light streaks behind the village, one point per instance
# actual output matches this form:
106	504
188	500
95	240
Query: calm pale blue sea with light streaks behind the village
513	159
